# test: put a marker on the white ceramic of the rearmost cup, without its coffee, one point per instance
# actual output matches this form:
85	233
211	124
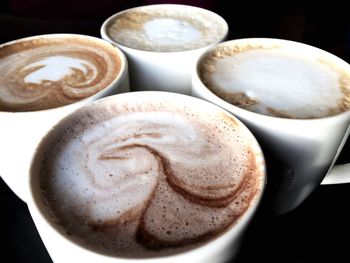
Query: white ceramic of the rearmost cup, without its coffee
166	71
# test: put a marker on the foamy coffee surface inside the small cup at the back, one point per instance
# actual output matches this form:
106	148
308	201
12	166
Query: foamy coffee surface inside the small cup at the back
166	28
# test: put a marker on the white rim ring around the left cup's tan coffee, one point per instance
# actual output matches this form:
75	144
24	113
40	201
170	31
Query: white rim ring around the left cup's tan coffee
118	78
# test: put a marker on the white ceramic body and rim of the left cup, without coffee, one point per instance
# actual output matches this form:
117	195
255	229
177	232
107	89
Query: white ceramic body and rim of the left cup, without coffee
20	132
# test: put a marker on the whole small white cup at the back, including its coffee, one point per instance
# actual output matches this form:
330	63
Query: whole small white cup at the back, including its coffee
162	43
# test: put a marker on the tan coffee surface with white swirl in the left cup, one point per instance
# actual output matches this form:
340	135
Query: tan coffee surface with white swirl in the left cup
48	72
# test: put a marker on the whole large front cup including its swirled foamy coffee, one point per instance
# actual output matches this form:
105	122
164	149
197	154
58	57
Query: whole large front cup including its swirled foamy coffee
146	177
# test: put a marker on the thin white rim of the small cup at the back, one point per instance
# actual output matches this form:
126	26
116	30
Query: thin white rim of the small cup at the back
105	35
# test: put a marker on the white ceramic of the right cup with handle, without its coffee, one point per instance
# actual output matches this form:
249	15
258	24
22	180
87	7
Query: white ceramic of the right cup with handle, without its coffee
303	151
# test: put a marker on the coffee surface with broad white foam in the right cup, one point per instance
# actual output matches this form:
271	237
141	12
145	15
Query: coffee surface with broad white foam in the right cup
277	80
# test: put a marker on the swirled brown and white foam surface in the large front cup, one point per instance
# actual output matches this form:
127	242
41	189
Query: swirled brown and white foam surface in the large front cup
147	179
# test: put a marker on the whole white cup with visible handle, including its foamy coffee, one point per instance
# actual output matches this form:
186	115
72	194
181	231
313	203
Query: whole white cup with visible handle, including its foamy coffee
295	98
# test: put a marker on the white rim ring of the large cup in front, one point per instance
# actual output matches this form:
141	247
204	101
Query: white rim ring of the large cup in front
233	231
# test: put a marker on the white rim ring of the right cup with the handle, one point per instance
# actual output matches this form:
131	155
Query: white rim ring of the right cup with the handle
226	105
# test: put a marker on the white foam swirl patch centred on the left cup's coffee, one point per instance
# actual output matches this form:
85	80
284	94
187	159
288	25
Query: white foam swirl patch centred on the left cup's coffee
56	68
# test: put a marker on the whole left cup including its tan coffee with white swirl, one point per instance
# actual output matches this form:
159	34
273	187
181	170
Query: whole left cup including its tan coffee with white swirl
43	78
